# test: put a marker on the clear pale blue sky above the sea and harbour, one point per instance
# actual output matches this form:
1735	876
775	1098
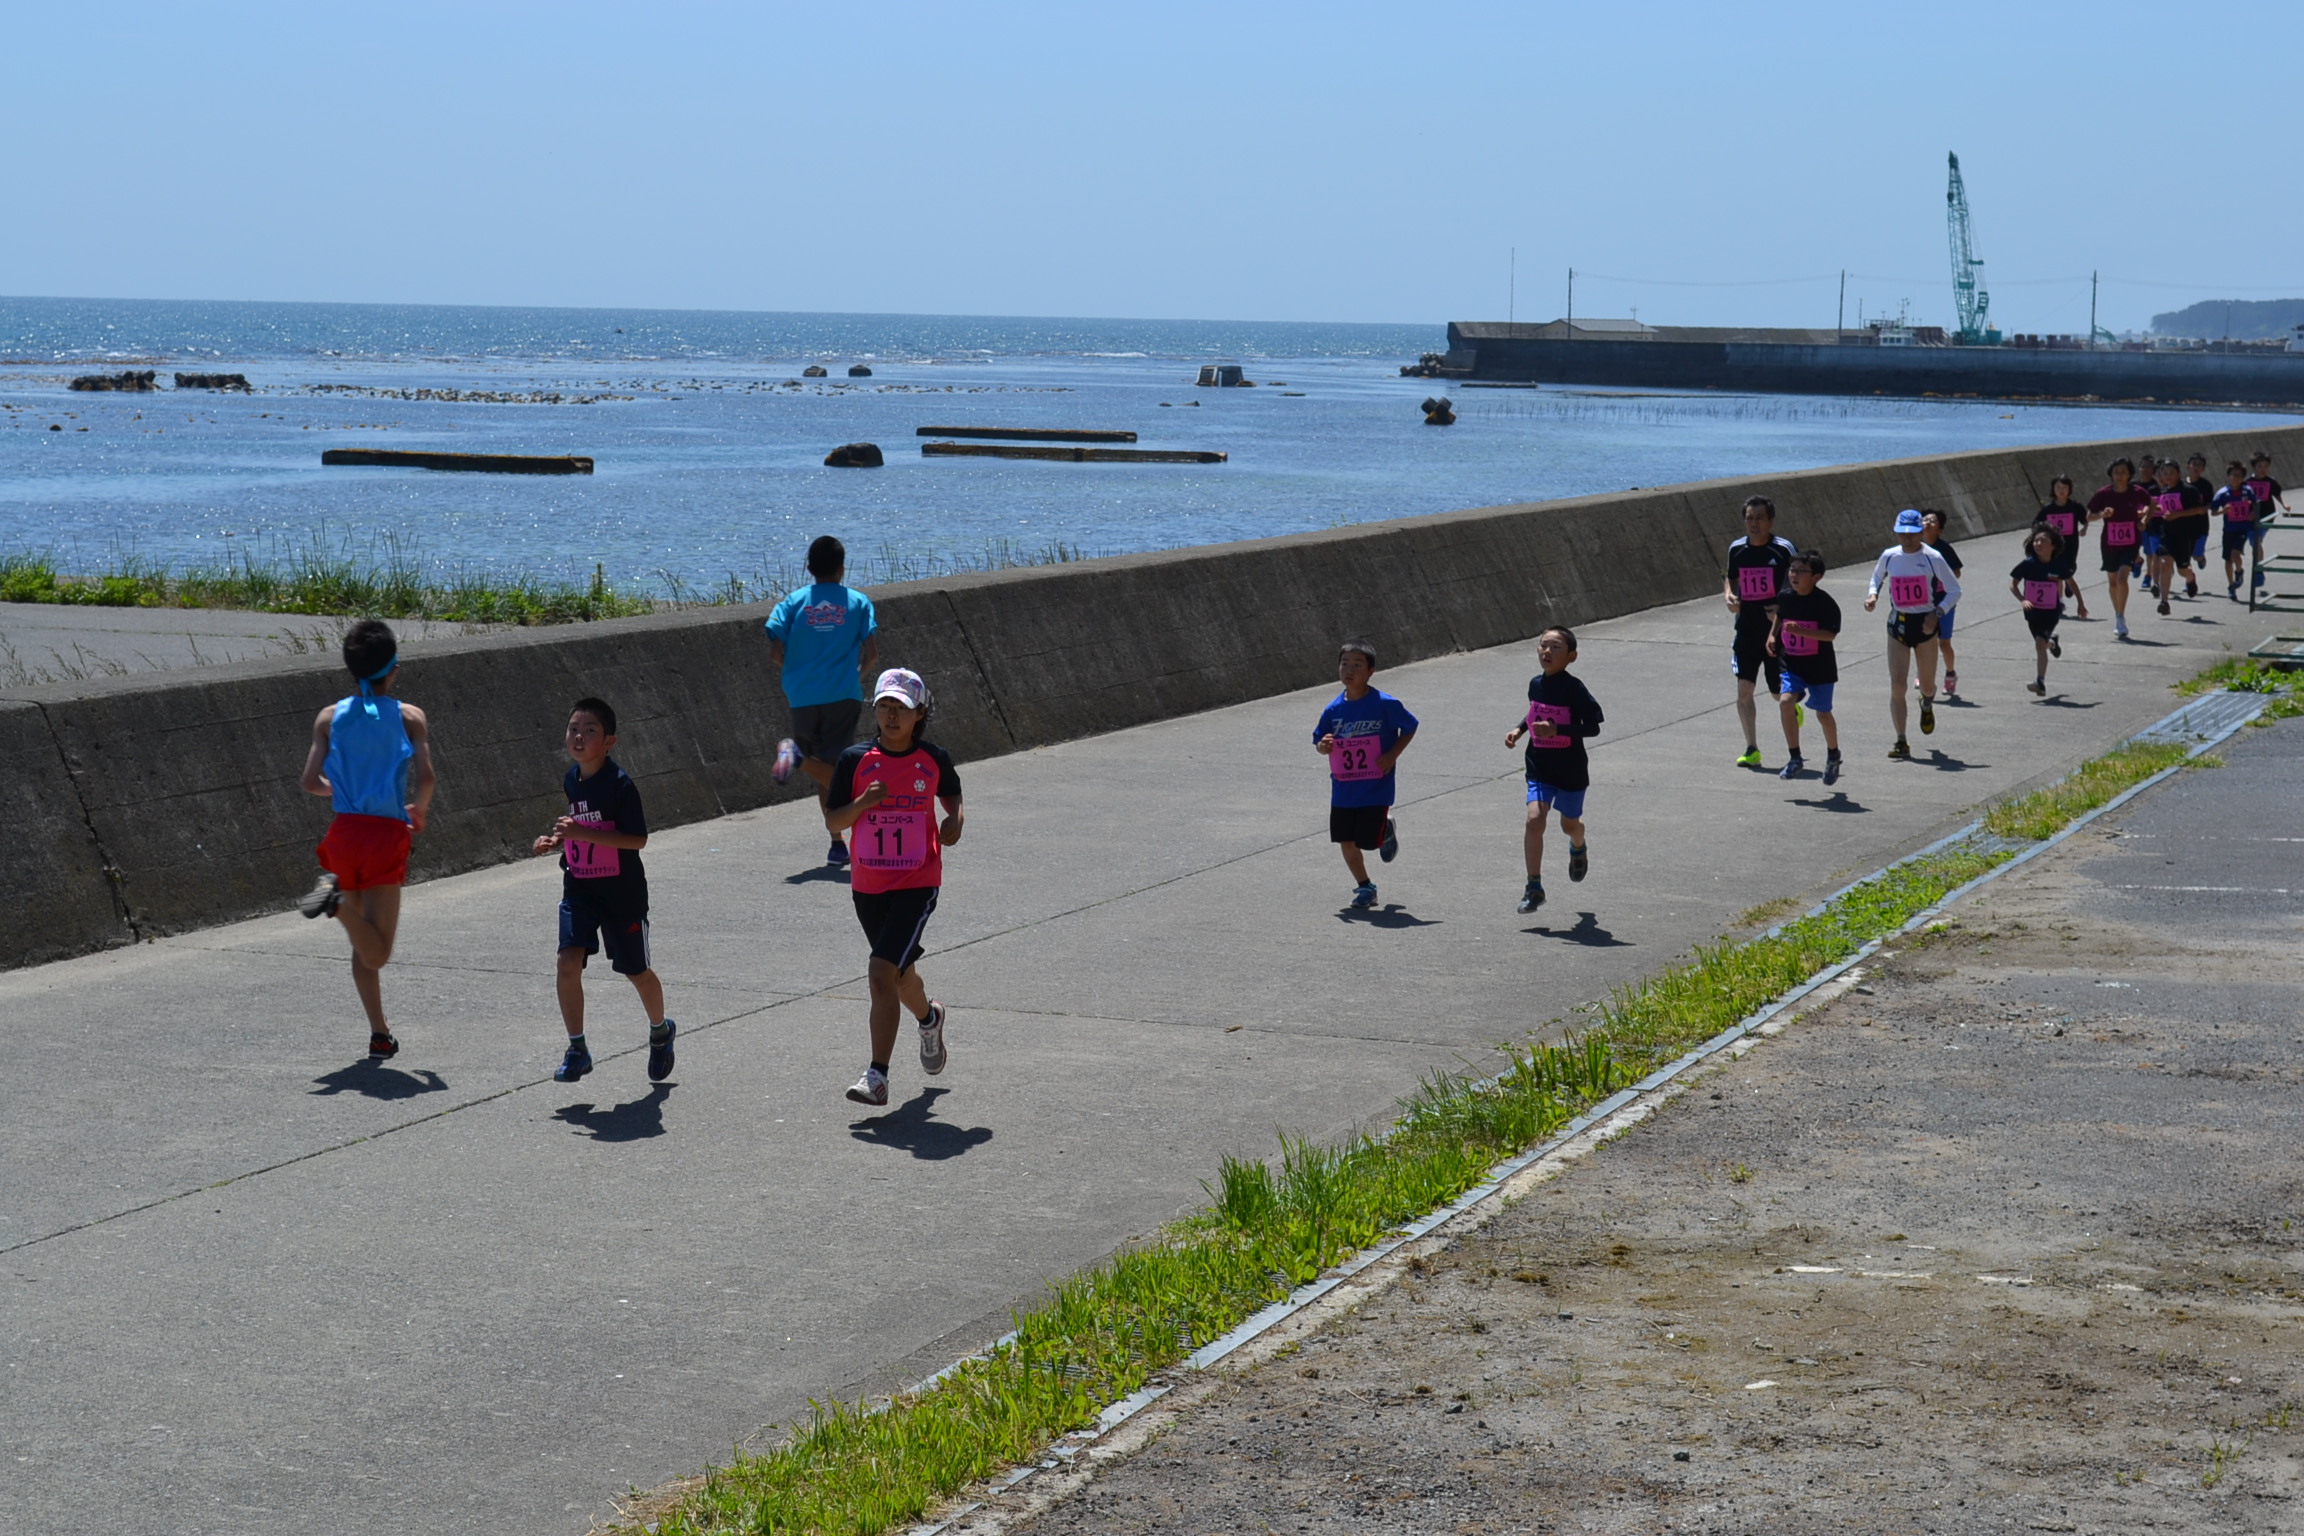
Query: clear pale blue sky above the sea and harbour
1278	162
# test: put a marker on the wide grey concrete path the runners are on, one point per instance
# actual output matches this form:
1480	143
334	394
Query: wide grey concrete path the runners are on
252	1284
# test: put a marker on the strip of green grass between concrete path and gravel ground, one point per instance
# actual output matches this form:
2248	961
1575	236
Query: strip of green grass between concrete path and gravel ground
1105	1332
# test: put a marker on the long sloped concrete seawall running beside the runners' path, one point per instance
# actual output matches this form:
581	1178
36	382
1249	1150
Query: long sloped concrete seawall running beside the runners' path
165	803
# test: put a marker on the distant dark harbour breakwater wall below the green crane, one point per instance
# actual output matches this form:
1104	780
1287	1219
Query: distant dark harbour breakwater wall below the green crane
1771	367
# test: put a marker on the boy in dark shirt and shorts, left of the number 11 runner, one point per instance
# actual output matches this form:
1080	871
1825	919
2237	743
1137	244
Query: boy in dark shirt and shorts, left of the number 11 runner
602	888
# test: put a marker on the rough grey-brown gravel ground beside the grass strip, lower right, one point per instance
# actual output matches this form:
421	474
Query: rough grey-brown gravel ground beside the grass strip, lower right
1999	1240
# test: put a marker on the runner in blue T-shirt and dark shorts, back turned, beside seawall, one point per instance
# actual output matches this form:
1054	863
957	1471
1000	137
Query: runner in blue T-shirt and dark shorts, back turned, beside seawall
824	644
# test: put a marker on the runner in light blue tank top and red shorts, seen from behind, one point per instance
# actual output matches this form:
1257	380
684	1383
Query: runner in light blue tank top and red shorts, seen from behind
372	756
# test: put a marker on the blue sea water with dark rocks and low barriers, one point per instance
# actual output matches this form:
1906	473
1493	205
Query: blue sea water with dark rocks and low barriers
708	441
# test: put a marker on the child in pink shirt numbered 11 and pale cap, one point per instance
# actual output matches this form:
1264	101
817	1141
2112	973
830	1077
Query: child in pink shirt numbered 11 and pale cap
888	791
